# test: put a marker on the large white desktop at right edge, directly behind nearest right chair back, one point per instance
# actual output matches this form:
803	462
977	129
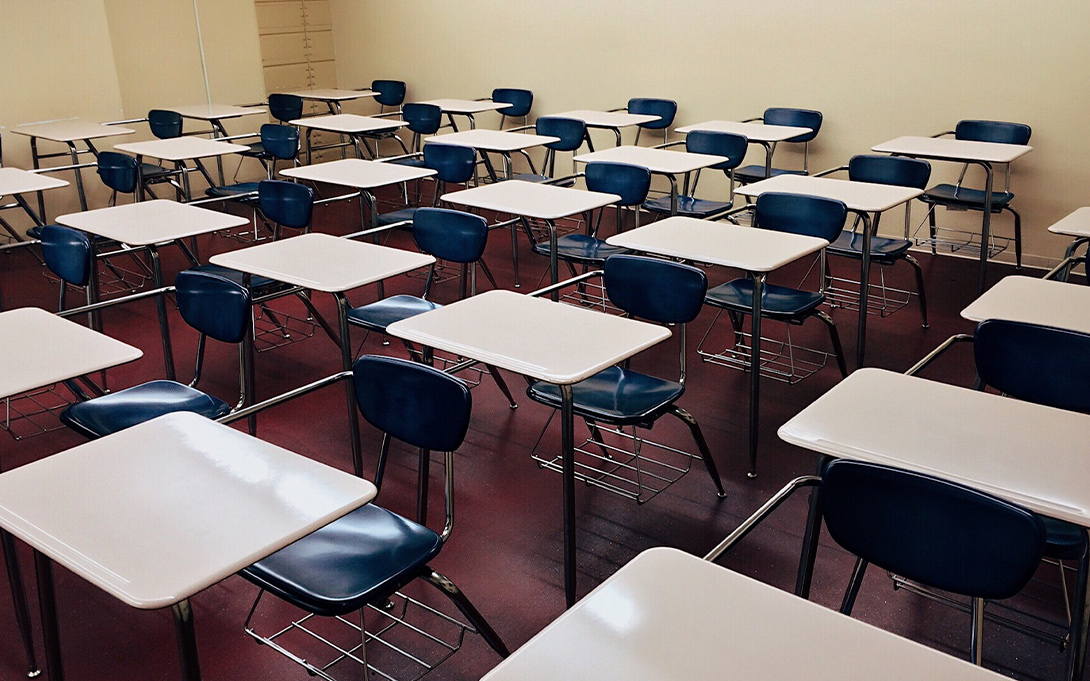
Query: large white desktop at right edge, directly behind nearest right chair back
1031	455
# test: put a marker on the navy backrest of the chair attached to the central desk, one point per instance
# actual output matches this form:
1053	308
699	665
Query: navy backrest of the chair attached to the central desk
656	290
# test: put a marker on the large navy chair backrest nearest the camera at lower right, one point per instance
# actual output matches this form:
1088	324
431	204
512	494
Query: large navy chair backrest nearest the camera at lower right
931	531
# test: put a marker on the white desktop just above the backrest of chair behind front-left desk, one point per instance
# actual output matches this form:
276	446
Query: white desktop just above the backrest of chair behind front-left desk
151	223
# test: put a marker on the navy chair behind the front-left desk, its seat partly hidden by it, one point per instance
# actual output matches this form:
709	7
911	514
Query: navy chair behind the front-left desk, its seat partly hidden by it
217	309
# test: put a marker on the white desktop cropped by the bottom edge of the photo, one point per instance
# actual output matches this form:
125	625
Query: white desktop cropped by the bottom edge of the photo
669	615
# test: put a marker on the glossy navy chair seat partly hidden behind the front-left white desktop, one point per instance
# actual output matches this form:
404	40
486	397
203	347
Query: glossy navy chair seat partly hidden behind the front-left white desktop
122	410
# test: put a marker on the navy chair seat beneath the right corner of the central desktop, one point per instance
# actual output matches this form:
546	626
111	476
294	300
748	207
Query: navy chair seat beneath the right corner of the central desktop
616	395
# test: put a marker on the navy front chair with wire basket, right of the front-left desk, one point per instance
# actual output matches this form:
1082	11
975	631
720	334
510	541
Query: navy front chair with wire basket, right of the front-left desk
367	556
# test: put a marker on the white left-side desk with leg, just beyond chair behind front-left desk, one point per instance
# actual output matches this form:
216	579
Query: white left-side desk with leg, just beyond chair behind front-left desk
148	225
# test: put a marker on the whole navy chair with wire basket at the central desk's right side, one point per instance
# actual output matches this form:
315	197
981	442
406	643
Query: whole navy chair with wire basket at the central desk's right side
659	291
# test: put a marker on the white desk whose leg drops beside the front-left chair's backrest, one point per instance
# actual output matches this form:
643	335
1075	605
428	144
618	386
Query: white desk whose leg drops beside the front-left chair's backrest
332	265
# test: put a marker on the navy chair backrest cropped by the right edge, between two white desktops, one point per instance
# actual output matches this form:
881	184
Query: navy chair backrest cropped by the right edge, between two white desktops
1036	363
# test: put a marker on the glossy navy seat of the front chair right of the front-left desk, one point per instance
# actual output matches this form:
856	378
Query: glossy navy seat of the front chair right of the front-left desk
360	558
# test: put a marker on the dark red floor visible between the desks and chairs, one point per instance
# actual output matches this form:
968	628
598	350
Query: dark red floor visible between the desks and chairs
506	549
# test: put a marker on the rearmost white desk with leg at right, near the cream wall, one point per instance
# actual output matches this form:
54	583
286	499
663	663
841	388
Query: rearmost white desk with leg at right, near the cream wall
984	154
